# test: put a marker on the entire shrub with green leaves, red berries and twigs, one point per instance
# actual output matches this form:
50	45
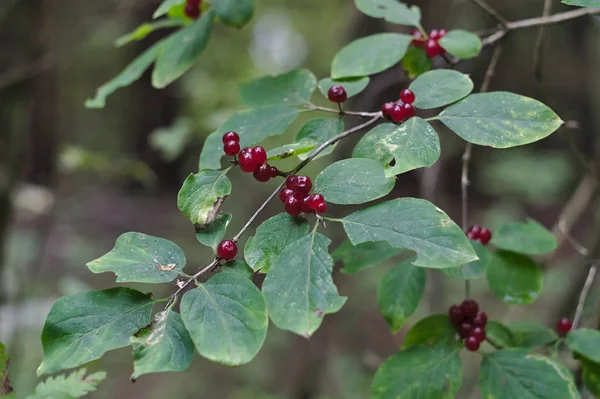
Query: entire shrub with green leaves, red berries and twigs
223	315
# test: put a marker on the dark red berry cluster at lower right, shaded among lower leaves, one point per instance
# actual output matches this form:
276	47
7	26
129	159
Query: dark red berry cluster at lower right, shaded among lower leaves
469	323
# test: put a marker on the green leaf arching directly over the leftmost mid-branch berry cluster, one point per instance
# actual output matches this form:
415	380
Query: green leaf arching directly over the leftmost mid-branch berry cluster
253	126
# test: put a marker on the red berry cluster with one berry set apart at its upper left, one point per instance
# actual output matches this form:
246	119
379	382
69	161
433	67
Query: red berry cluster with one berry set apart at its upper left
252	159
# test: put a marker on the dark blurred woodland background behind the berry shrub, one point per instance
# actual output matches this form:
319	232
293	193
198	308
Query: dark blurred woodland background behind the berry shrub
72	179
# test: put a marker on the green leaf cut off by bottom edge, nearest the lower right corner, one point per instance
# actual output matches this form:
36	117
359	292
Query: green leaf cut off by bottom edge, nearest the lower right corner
517	373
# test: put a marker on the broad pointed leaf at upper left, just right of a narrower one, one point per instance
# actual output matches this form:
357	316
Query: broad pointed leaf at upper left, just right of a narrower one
181	51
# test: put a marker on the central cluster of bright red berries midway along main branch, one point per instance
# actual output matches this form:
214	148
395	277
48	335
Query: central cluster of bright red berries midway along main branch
296	198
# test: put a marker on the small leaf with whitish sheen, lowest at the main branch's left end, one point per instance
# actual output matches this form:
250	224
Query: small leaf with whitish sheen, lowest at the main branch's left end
164	345
